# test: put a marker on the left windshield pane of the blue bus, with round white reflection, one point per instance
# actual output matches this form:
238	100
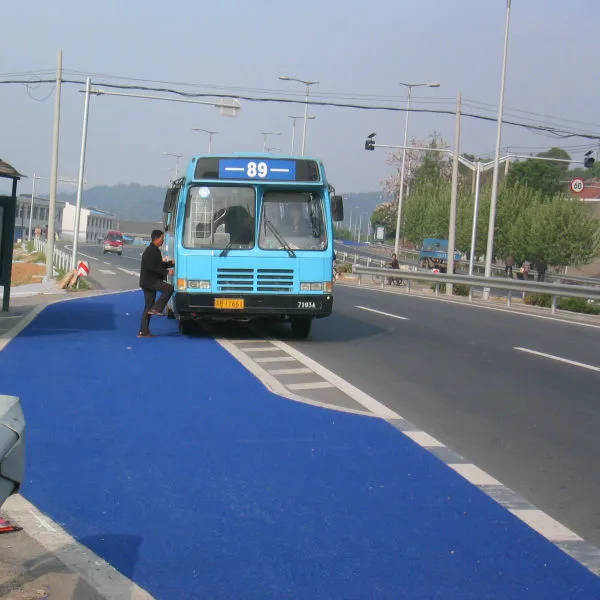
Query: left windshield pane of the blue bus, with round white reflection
220	217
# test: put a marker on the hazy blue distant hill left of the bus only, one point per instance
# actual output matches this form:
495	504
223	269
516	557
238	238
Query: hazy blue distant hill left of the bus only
131	202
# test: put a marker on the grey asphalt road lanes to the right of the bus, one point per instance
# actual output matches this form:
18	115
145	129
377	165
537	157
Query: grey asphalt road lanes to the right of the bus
530	421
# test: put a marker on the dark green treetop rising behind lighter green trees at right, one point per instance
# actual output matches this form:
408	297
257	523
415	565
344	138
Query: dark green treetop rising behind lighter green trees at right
541	175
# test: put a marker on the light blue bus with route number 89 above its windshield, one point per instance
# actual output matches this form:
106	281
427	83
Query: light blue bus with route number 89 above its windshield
252	237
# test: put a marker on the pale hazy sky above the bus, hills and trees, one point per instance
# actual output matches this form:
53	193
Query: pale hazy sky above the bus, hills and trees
355	50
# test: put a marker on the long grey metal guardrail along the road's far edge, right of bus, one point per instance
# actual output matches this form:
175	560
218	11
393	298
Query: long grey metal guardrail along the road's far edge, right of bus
555	290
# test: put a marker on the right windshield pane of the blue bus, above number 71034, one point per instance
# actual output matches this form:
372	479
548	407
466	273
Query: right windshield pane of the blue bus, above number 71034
296	218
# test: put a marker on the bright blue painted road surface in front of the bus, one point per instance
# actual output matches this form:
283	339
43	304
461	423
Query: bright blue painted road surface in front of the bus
172	462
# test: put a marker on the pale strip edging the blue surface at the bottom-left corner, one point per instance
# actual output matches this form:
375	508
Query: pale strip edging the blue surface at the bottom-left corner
101	576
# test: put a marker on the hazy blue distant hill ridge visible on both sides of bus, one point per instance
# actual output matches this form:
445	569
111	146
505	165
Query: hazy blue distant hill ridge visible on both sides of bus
135	202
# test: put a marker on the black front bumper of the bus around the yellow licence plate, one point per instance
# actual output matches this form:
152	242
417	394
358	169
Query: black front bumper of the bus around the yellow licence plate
196	305
